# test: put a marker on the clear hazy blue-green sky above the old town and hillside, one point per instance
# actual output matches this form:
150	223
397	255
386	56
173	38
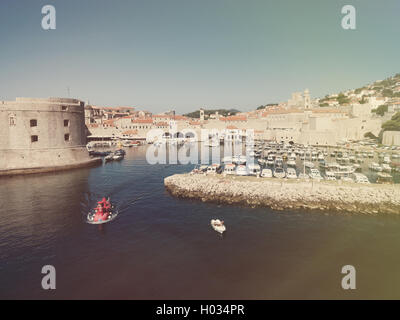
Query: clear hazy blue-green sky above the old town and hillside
160	55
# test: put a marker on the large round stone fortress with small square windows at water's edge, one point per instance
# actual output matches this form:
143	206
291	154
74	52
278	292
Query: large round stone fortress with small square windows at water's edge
42	135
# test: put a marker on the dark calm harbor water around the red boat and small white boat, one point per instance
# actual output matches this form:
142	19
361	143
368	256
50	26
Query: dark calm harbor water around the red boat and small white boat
160	247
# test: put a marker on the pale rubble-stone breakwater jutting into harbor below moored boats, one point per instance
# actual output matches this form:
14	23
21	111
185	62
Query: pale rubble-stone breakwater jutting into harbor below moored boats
287	194
